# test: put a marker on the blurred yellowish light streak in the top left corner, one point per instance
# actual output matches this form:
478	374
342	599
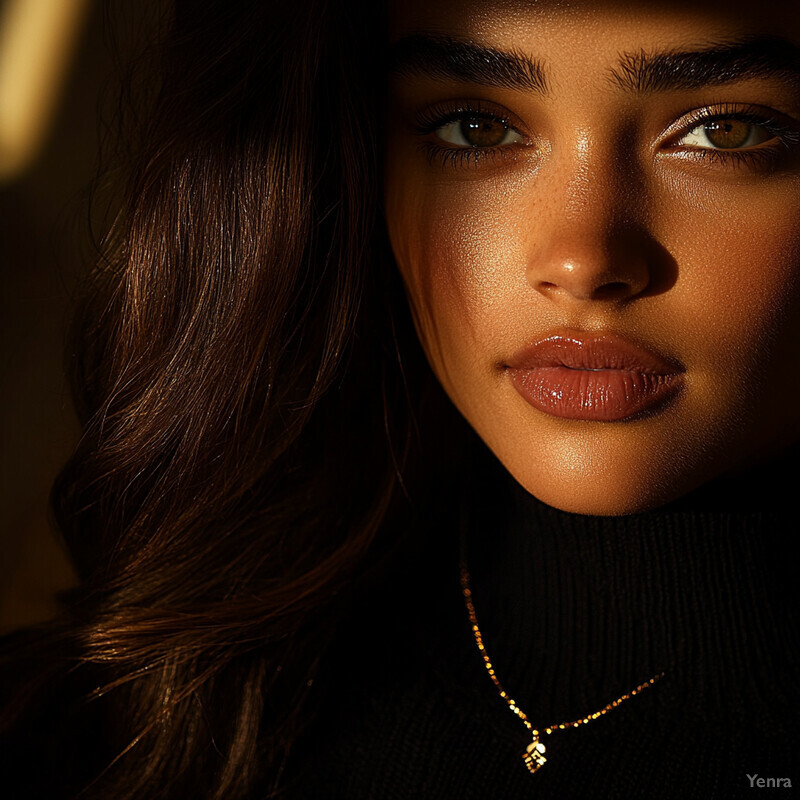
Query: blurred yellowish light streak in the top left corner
37	40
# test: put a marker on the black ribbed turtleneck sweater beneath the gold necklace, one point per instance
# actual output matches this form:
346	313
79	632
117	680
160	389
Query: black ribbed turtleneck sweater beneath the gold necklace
575	611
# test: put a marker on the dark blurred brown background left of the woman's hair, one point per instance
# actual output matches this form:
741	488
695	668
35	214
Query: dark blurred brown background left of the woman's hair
46	245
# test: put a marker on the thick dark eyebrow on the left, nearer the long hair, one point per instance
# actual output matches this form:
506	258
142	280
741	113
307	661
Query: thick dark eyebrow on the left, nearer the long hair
456	59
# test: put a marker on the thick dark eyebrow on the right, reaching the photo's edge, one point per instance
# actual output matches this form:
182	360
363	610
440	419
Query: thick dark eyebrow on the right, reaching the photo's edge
726	62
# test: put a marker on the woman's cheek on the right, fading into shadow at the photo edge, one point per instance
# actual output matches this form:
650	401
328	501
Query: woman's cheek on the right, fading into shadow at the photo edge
736	303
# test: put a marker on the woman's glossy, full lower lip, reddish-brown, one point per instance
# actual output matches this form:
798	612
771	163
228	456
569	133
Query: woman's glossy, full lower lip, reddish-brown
602	395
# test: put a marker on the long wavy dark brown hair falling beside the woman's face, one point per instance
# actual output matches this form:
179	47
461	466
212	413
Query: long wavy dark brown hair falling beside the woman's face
244	368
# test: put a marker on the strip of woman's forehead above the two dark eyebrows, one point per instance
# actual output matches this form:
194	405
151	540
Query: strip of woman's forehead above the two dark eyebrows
580	25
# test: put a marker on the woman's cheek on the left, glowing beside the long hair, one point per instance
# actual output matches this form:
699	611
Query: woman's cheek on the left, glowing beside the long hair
461	254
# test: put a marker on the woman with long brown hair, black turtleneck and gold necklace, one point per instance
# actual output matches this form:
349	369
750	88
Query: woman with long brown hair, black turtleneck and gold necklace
302	573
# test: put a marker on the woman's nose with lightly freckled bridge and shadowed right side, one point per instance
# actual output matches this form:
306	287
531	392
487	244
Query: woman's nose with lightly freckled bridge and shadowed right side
588	247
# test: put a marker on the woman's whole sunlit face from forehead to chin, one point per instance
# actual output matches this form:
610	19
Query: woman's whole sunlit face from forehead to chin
595	208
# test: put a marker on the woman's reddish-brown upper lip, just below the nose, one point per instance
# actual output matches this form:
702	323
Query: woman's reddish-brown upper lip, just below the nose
592	351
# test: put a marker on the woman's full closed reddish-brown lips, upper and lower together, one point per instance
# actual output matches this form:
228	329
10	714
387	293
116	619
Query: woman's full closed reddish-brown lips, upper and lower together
600	377
